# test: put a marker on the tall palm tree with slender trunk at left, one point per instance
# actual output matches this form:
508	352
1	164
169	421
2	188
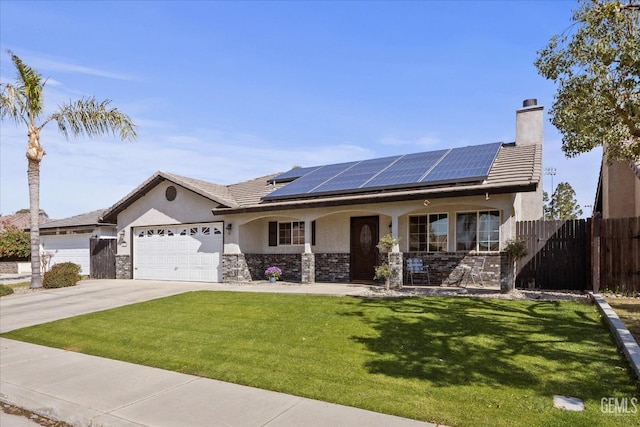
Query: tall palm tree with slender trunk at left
23	103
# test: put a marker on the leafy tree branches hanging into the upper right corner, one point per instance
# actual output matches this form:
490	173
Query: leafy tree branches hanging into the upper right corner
597	69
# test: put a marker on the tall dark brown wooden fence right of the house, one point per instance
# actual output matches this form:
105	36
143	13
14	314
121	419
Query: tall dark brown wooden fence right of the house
598	254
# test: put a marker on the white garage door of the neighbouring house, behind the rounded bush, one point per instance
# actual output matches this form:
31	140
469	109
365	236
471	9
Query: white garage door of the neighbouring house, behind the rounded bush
68	248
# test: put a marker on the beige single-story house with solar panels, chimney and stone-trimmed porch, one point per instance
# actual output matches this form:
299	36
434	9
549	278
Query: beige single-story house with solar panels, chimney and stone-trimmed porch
448	208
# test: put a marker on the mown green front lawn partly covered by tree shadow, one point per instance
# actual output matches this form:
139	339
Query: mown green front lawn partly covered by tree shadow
455	361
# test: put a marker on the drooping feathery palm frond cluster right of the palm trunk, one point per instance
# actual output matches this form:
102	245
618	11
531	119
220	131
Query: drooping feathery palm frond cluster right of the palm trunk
89	117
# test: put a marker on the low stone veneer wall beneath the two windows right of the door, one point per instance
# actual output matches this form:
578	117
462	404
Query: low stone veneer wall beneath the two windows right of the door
447	267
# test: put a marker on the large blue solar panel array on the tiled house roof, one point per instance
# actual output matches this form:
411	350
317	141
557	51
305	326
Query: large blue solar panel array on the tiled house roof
462	164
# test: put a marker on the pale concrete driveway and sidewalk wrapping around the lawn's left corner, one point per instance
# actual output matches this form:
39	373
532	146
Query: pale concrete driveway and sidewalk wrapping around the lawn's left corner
87	390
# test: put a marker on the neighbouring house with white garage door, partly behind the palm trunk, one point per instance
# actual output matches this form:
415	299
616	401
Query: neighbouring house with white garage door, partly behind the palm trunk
69	239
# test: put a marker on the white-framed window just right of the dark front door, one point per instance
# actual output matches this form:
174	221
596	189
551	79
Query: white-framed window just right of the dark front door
429	233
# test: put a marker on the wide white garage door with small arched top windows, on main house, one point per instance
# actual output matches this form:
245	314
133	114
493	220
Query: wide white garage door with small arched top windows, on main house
189	253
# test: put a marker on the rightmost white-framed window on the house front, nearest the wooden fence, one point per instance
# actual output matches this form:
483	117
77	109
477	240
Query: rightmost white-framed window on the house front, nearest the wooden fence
478	231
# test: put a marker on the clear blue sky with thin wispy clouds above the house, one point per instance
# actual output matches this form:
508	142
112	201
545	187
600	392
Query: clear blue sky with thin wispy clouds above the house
229	91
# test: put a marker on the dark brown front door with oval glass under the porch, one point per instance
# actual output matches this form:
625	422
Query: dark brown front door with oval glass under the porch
364	252
